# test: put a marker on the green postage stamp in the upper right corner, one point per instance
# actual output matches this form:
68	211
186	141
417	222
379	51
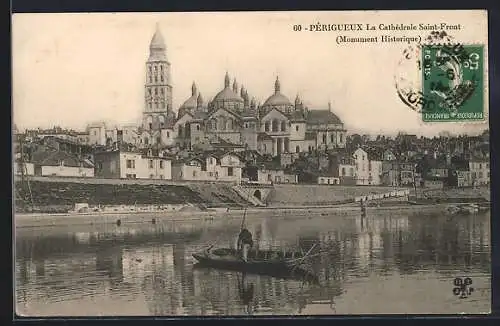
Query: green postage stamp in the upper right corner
453	82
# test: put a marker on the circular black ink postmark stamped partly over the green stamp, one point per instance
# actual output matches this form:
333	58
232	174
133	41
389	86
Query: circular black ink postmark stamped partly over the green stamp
438	75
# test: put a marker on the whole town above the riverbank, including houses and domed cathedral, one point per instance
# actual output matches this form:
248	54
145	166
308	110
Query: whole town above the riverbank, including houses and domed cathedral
233	138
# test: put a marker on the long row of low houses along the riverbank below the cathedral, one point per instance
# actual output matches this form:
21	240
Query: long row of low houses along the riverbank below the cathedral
366	165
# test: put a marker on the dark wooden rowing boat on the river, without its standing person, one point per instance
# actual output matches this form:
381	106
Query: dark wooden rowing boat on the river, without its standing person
268	262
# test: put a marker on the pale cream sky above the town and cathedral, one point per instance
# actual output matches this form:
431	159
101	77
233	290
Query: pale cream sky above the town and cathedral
73	69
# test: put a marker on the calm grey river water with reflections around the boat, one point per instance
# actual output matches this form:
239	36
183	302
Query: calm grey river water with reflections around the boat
383	263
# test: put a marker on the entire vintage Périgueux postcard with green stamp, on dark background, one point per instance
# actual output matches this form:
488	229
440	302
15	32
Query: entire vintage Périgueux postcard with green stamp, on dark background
251	163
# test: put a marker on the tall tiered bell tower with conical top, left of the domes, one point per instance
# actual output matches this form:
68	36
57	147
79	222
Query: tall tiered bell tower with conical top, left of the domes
158	86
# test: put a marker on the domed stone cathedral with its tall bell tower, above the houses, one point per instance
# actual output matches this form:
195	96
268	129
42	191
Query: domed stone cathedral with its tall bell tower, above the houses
229	120
